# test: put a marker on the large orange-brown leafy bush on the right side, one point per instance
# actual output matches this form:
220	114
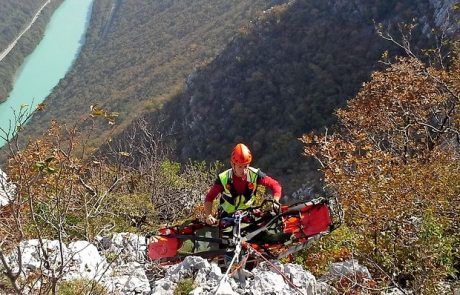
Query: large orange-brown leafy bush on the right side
395	163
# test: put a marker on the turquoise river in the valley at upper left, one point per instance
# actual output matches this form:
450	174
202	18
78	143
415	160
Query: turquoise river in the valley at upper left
49	62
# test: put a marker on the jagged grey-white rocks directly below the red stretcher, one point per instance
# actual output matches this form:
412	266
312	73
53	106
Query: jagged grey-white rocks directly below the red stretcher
264	279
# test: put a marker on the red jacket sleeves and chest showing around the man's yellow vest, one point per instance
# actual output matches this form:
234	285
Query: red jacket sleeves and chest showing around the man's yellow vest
240	184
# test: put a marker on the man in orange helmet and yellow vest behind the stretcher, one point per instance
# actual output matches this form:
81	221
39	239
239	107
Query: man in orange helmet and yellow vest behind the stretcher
237	186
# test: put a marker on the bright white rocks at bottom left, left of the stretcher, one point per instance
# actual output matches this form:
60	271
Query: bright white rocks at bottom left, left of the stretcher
119	266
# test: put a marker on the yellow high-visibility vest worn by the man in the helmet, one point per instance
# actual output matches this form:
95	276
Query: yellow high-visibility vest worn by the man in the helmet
230	203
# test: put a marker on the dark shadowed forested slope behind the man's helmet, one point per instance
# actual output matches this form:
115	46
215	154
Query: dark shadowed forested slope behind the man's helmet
284	76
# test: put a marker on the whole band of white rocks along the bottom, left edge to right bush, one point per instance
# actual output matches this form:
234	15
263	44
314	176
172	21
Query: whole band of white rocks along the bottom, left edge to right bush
118	263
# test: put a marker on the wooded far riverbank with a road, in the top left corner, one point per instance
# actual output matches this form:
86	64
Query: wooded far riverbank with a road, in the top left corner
14	17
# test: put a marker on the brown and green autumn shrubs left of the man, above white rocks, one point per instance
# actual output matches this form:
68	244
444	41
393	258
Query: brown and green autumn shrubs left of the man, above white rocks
66	191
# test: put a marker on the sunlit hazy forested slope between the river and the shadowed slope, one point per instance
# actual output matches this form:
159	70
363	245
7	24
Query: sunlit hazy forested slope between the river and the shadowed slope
139	52
